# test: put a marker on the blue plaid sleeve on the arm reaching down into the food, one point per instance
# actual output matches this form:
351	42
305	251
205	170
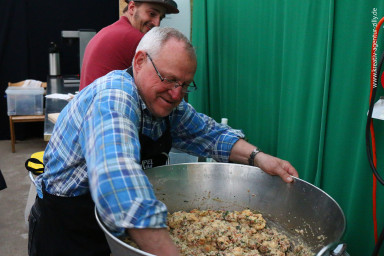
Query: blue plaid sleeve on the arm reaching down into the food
120	189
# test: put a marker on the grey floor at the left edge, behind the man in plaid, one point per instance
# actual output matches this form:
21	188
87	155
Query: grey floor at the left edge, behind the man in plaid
13	199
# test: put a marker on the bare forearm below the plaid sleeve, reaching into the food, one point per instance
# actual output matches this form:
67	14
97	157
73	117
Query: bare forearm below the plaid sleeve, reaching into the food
154	240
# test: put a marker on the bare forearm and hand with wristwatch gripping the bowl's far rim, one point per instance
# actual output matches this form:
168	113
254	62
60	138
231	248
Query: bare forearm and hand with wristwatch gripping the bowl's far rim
272	165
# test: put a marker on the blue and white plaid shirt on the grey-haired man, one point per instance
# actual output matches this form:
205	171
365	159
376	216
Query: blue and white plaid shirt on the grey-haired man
95	147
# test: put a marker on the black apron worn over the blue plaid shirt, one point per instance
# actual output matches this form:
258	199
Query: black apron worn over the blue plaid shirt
67	226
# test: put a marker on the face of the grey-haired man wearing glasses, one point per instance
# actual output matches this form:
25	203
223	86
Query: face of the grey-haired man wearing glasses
174	63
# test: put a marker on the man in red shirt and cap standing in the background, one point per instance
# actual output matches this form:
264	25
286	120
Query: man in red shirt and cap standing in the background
114	46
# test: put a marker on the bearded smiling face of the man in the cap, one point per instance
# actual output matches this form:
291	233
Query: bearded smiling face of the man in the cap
145	16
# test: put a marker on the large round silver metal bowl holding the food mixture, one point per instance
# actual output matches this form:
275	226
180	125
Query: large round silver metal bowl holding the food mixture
297	206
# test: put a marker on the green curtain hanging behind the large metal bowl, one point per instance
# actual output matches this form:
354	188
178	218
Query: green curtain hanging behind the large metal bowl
294	76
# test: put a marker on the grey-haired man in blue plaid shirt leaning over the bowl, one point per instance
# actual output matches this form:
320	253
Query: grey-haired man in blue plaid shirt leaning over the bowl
119	125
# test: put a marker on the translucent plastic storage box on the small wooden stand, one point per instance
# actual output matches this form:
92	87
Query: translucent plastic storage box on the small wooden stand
24	101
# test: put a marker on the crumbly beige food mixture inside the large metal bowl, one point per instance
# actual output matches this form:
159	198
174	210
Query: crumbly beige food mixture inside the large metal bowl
224	233
